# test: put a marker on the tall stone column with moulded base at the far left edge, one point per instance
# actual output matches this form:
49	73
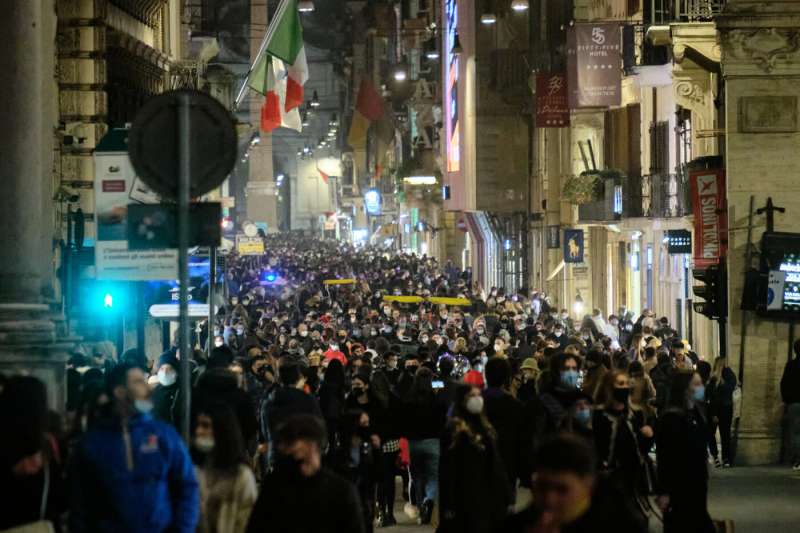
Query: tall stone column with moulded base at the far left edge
27	334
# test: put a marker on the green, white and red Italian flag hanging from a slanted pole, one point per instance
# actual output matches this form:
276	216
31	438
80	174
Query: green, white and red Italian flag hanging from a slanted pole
281	70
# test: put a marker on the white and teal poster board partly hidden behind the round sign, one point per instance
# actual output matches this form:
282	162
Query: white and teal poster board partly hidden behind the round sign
116	186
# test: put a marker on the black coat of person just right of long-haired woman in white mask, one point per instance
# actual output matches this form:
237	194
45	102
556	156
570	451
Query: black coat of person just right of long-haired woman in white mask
506	416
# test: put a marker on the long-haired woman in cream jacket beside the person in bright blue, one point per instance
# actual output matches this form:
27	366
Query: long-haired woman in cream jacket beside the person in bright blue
227	484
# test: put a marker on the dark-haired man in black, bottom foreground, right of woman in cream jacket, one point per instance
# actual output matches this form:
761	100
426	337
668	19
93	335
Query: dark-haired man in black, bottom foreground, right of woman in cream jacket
300	494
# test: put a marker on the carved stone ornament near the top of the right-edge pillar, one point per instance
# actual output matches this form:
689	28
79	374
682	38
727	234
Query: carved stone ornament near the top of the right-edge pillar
765	46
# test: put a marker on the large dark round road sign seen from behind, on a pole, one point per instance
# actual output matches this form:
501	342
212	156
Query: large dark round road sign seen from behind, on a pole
153	143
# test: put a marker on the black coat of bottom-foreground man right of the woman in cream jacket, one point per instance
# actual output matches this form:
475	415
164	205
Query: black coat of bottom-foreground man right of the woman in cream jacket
325	503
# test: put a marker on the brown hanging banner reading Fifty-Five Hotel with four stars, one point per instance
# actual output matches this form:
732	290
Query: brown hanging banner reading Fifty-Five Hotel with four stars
594	61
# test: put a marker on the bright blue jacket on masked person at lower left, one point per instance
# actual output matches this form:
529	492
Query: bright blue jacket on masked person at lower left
139	480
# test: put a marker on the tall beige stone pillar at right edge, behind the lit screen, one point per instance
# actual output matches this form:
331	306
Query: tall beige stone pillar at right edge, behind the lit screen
761	66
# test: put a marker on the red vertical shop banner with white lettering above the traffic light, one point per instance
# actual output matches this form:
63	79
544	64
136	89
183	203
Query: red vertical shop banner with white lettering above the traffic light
710	216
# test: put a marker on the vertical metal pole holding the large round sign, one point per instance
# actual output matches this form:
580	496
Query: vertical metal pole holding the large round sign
184	180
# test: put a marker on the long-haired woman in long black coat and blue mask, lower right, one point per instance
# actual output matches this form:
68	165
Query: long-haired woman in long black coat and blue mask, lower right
682	457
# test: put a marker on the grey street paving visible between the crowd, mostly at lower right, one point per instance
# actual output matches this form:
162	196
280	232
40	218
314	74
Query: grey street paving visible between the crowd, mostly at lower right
757	499
